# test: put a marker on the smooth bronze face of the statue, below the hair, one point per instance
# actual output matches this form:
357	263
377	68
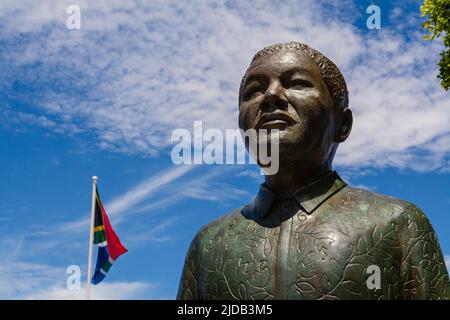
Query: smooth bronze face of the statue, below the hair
285	91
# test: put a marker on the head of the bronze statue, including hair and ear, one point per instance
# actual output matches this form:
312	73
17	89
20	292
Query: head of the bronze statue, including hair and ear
297	90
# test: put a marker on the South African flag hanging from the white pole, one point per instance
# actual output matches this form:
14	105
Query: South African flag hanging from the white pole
109	245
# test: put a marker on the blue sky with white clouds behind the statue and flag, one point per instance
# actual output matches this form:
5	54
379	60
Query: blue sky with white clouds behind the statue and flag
103	100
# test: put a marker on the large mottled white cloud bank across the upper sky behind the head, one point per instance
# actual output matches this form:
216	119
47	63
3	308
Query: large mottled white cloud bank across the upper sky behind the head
136	71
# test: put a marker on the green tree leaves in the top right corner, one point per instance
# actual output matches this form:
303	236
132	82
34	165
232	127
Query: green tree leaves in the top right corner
438	12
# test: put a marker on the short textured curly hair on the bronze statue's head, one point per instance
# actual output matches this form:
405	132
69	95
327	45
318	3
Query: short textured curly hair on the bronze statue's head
330	72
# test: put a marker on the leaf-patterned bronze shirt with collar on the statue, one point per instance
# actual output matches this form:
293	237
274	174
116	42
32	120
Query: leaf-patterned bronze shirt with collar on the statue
327	241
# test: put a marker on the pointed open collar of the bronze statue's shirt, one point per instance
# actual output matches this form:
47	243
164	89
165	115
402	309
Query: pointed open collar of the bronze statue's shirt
309	197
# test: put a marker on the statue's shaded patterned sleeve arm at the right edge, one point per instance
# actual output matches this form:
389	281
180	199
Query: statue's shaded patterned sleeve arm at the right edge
423	271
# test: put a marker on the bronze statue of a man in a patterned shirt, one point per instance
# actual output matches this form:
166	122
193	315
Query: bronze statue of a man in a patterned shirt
309	235
